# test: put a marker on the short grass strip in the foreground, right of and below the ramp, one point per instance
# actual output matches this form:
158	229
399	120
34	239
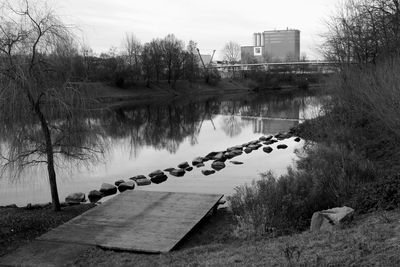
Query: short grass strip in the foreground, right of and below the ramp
370	241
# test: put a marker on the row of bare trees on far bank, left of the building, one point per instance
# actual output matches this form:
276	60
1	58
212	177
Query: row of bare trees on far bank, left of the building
160	59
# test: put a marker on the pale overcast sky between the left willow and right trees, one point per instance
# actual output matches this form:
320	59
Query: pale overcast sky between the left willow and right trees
211	23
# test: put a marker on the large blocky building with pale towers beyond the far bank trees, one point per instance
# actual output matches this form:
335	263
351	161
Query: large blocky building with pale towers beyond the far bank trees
273	46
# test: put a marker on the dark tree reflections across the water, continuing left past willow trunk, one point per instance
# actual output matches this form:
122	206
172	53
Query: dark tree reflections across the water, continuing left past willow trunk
160	126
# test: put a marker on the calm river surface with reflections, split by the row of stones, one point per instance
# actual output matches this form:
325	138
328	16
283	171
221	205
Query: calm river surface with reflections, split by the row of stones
141	139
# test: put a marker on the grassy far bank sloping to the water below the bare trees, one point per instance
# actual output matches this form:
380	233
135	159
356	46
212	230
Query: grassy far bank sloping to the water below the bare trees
184	90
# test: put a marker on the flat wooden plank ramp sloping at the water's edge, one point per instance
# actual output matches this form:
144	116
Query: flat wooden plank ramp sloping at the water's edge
141	221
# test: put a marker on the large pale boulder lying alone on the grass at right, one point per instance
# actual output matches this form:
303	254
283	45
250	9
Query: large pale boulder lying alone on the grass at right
331	219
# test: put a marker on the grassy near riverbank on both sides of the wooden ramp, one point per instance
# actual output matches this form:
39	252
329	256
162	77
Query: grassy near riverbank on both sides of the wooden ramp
371	239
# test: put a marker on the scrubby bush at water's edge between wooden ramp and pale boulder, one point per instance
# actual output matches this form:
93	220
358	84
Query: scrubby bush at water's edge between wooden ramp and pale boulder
326	177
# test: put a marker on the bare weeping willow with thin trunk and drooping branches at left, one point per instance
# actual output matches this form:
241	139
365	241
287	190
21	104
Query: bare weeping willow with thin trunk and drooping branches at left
43	118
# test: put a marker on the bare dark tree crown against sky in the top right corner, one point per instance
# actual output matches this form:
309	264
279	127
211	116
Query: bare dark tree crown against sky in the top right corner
364	30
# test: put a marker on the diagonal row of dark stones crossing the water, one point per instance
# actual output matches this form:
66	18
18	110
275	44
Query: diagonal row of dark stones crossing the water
219	159
